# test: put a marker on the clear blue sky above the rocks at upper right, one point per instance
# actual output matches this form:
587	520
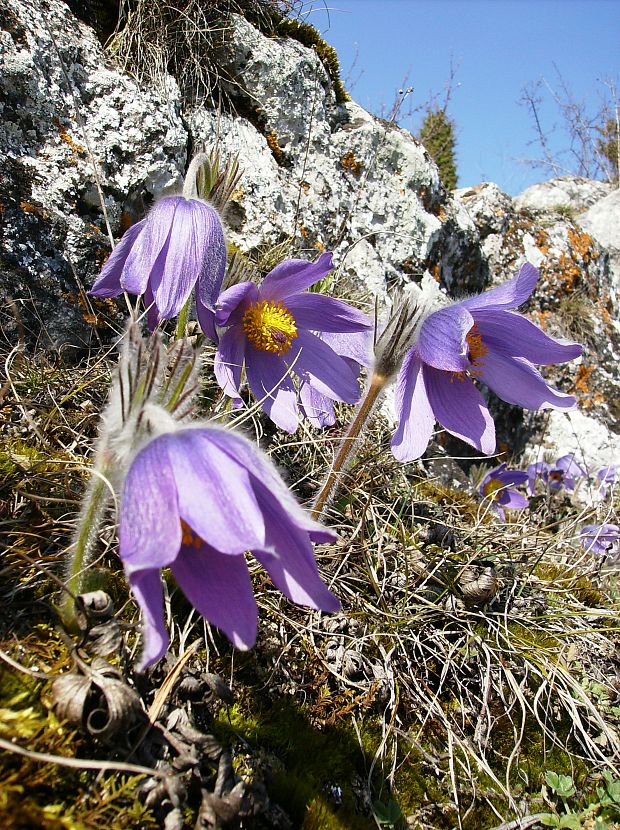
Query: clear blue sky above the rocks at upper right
496	47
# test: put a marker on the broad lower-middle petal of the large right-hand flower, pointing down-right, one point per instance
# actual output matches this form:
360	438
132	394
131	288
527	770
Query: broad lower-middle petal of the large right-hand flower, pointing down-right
460	408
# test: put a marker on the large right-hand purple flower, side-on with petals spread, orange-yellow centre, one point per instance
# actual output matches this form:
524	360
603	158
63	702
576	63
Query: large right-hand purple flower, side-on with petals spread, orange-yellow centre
477	339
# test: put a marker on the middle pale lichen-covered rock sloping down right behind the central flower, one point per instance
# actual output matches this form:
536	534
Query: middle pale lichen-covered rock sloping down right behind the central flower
328	175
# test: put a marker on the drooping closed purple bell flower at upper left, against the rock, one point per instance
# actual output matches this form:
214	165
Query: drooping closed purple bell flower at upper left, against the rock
179	245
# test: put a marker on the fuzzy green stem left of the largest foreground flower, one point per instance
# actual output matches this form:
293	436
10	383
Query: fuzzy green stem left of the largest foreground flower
84	542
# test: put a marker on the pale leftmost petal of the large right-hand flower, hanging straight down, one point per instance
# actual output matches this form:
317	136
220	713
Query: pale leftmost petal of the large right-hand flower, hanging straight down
416	419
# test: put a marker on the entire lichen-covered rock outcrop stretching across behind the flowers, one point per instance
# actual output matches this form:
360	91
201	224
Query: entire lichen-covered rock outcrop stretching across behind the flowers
85	146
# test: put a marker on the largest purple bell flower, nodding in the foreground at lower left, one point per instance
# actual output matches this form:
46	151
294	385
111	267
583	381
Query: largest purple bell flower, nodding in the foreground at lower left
195	500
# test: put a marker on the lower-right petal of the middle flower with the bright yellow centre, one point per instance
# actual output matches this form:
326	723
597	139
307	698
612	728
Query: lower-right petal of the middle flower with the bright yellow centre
318	364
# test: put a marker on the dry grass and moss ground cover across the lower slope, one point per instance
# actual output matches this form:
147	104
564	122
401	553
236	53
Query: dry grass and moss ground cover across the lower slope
471	659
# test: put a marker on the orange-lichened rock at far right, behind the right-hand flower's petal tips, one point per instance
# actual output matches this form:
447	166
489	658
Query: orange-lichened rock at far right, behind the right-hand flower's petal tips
576	298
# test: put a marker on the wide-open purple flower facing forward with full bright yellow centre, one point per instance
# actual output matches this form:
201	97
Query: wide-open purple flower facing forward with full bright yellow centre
278	329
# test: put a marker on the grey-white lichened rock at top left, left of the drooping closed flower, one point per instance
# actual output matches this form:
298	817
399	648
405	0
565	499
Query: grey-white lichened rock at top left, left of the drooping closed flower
75	133
